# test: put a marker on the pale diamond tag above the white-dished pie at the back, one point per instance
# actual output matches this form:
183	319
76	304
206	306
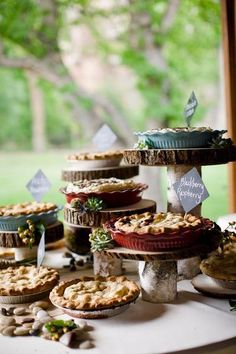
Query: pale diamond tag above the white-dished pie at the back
104	138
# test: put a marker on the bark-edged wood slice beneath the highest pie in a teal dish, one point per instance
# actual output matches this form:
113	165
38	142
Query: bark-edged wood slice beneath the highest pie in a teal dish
192	157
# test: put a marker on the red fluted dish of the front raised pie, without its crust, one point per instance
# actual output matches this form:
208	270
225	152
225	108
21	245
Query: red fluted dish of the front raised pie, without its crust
158	242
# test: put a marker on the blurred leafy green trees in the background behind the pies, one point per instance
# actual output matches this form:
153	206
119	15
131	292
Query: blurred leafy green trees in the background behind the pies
168	47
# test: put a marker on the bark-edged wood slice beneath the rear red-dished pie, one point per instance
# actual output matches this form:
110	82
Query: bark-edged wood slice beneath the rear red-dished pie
89	219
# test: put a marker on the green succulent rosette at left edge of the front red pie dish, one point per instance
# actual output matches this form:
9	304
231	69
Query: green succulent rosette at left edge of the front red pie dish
100	240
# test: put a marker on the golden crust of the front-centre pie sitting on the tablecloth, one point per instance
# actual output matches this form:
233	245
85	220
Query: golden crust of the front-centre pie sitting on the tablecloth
93	293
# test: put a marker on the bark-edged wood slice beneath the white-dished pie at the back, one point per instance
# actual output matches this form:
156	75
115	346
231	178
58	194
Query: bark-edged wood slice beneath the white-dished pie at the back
122	172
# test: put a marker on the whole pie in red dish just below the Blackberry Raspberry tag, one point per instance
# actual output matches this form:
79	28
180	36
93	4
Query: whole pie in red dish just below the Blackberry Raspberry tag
156	231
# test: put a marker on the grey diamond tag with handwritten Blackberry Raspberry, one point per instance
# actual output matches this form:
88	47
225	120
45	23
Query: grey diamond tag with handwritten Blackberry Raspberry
191	190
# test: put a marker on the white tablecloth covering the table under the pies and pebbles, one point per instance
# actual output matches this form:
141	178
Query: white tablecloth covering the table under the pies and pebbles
190	322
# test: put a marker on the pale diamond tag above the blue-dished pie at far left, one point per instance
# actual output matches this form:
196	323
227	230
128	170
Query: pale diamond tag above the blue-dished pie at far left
38	185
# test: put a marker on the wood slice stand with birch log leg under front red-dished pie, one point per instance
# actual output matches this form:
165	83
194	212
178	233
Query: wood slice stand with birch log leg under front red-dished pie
158	270
